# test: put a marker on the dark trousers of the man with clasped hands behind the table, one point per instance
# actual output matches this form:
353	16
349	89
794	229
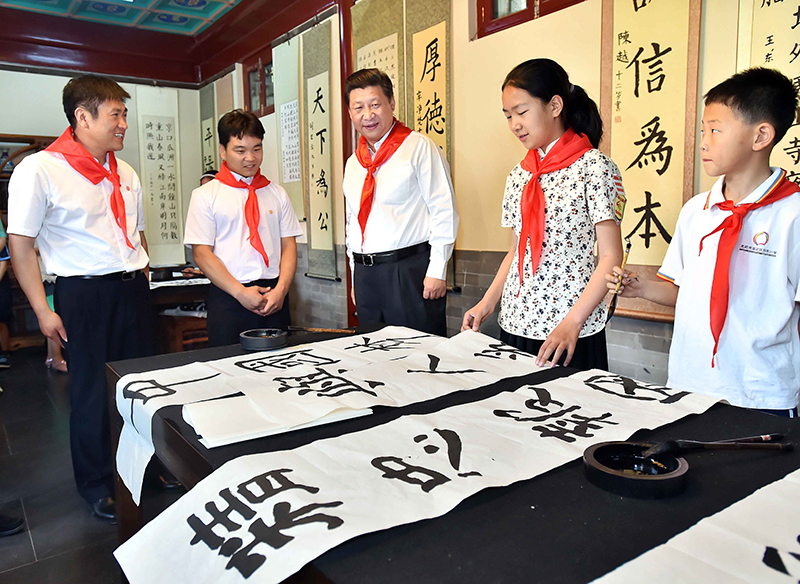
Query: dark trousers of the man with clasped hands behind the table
227	318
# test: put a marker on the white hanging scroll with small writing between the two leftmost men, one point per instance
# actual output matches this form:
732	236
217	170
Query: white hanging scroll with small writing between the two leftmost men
159	155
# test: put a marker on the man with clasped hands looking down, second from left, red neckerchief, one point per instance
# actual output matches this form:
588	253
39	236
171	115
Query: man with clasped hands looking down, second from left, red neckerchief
242	230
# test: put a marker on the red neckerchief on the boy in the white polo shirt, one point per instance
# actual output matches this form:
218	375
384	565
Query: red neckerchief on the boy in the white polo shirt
731	227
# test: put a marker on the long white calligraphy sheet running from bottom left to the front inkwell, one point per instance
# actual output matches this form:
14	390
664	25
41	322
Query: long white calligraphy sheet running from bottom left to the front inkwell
265	516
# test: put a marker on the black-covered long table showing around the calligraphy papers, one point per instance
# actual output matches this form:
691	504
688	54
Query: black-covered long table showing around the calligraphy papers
554	528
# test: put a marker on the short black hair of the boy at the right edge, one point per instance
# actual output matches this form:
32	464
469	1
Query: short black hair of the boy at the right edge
759	95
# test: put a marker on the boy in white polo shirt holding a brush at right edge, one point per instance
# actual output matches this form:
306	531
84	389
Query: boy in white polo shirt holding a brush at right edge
732	270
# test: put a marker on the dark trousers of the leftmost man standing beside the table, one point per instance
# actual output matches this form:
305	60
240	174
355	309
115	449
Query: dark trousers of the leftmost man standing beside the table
105	320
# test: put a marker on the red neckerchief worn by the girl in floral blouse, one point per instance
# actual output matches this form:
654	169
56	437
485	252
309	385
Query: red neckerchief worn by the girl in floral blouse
569	148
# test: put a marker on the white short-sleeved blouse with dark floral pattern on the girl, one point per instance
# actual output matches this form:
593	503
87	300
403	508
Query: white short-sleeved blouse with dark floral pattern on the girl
576	198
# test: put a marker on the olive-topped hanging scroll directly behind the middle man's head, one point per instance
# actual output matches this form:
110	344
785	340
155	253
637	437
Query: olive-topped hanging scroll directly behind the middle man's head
378	24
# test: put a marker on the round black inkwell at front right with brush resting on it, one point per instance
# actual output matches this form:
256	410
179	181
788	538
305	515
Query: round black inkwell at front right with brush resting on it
620	468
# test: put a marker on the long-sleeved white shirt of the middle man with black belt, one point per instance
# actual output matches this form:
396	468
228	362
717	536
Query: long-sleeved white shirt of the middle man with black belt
413	202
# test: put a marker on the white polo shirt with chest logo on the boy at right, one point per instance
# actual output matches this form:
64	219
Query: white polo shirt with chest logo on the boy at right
758	358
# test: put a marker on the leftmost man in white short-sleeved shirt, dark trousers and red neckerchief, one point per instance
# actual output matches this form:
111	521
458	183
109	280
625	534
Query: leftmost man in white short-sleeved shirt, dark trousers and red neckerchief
84	209
